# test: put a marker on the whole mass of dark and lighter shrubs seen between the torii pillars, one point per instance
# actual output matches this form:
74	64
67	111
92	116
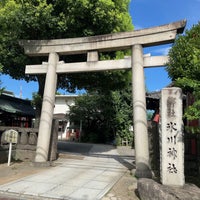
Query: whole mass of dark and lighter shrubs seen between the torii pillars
104	116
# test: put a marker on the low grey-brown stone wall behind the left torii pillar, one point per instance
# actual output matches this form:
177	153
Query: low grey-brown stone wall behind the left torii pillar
25	148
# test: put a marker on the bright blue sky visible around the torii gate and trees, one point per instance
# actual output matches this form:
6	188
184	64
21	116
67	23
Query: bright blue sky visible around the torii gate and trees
145	14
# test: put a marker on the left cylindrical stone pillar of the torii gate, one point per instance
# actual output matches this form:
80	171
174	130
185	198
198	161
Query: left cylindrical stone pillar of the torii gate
47	109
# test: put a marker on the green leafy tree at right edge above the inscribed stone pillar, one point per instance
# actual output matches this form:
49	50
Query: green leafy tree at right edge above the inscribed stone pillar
184	67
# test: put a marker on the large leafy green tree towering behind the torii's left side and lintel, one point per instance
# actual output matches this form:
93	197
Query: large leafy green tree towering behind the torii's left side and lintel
50	19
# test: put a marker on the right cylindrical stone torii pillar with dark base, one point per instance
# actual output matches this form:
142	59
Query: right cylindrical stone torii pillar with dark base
140	114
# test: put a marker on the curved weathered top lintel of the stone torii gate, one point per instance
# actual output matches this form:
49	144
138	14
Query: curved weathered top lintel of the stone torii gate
158	35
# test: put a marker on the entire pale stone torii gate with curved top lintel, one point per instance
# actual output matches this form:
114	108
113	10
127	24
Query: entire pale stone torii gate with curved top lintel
134	40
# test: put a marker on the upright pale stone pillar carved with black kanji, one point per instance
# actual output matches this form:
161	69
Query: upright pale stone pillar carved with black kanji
171	137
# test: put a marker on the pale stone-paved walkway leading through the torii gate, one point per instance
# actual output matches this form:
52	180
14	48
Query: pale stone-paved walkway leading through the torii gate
86	178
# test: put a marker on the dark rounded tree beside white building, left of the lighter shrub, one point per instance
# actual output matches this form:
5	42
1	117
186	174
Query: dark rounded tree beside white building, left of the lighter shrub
95	112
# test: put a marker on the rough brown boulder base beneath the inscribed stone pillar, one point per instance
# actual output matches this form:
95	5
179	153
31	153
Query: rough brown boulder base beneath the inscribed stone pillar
149	189
